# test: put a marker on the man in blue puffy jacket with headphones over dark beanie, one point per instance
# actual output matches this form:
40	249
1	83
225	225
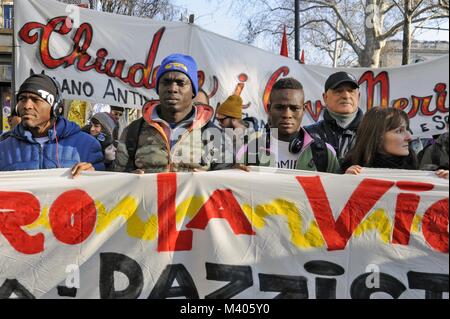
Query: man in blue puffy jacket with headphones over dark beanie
44	139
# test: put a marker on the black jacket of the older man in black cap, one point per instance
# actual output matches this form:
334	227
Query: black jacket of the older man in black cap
328	131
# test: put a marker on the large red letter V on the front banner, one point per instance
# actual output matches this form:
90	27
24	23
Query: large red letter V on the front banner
337	233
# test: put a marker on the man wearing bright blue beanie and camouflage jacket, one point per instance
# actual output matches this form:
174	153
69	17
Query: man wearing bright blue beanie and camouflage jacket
174	135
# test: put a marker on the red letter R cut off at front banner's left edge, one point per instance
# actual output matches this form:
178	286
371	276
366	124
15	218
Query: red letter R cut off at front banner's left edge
21	209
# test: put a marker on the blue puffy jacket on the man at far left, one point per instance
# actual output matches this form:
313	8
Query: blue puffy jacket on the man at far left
21	152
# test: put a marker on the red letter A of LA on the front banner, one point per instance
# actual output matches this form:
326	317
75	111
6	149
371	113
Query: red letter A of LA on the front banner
222	204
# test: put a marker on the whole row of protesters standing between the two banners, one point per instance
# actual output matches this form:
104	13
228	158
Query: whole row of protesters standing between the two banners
184	133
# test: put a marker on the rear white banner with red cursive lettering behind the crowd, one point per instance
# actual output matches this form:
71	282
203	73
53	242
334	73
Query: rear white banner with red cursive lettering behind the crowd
113	59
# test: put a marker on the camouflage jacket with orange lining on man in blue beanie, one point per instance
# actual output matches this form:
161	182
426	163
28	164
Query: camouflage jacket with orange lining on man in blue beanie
193	150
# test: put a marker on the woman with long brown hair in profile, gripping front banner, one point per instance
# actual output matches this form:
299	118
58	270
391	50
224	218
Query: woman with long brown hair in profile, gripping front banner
383	141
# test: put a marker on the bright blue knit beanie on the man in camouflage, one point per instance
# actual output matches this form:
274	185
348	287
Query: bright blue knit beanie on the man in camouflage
180	63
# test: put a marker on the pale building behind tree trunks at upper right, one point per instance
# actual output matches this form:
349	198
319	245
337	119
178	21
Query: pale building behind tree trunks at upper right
421	51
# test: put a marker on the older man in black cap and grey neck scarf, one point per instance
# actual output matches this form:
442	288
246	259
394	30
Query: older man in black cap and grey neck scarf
342	116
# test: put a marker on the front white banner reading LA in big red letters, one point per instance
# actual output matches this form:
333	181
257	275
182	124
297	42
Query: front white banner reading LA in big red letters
226	234
